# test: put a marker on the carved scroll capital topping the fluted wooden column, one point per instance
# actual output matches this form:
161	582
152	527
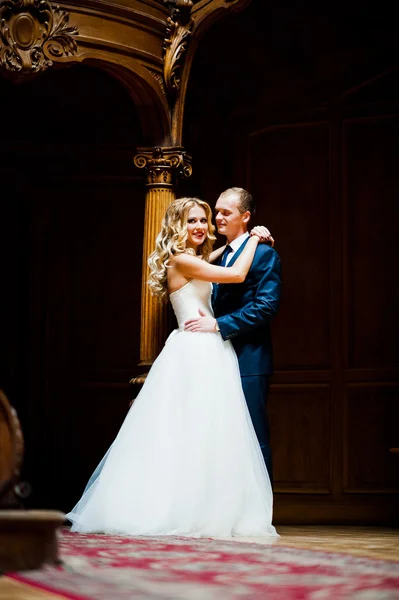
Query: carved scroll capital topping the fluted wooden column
163	165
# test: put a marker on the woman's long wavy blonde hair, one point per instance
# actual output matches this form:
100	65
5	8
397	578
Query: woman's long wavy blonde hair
172	239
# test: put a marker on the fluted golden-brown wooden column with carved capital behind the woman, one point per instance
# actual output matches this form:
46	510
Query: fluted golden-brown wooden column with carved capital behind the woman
164	166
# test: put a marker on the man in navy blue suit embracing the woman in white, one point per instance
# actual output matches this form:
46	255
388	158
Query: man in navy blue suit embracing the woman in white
244	311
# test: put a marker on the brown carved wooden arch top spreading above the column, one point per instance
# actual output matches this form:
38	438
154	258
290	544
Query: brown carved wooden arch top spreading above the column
147	45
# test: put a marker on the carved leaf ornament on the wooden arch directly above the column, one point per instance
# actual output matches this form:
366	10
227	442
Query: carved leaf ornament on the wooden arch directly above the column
178	33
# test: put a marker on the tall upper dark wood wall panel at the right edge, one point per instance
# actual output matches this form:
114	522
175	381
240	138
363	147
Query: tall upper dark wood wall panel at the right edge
371	187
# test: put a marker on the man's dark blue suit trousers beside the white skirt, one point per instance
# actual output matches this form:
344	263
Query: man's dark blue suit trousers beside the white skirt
256	391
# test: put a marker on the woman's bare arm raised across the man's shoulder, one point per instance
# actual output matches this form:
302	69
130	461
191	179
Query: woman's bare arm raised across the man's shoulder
192	267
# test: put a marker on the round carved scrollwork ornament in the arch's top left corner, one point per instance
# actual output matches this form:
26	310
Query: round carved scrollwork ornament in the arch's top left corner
33	34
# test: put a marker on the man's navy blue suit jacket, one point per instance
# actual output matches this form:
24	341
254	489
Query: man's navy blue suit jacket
244	311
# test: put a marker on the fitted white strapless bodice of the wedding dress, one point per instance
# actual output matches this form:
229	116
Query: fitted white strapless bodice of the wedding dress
188	299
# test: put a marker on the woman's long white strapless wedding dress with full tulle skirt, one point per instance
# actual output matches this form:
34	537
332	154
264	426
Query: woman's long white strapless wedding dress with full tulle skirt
186	460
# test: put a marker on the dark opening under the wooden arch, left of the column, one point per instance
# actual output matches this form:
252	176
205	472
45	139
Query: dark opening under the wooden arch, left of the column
72	213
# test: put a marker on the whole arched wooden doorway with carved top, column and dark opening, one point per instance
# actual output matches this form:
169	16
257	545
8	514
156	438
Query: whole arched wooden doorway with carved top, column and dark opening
75	212
